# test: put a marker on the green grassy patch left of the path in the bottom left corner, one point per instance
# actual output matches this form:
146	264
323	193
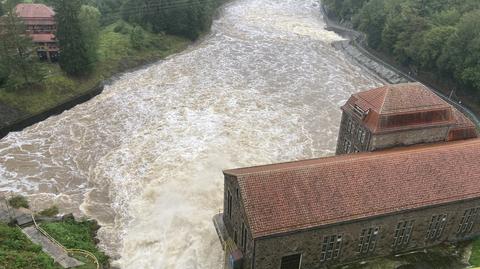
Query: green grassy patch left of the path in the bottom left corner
18	252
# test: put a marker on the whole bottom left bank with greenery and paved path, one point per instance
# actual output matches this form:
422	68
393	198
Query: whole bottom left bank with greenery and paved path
22	246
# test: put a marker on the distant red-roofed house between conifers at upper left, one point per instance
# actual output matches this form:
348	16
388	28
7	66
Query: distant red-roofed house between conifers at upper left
39	20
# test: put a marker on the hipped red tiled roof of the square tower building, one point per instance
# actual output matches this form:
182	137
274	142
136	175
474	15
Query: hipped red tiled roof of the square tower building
400	106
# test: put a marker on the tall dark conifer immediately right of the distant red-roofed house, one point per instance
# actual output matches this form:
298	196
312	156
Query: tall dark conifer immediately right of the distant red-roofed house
74	54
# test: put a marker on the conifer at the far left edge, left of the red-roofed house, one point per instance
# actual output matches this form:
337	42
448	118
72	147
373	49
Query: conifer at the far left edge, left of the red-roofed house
18	57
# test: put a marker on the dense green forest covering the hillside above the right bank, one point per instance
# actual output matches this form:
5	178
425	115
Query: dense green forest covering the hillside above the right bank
441	37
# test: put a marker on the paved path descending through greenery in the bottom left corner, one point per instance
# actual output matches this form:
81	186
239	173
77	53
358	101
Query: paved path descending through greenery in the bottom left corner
55	251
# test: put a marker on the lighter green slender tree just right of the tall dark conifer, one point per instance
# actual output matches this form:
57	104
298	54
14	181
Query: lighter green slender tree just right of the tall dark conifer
90	28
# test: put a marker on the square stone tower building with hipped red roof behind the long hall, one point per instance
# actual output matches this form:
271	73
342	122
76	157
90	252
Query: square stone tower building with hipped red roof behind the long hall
399	115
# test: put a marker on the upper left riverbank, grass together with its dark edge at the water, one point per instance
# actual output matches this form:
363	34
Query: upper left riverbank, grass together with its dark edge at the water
19	109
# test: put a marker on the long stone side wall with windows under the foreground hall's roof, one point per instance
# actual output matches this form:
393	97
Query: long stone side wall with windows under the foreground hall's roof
270	250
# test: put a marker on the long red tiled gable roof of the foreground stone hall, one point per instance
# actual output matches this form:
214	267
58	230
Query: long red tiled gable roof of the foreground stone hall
306	194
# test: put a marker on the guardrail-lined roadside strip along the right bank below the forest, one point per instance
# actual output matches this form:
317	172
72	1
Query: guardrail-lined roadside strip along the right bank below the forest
358	39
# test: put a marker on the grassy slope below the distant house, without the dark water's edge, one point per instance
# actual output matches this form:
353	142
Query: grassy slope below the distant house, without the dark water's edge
116	54
